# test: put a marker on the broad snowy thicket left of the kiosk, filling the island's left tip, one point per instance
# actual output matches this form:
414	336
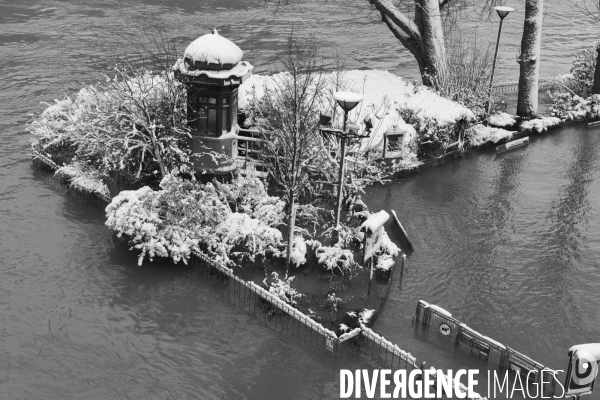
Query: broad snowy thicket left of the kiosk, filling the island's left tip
134	122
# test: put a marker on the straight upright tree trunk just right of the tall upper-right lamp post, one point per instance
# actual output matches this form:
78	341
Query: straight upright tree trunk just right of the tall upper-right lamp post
529	59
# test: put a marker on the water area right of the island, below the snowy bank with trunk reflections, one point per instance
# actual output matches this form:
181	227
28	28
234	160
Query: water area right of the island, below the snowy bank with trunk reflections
509	244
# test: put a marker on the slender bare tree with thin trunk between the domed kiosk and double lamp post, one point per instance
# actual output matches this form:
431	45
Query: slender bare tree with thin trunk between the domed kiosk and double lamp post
287	116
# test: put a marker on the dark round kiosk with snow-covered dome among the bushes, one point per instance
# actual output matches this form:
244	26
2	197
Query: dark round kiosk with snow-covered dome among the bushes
212	70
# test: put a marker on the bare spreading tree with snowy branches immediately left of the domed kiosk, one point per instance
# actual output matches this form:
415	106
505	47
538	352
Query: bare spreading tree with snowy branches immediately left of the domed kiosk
143	116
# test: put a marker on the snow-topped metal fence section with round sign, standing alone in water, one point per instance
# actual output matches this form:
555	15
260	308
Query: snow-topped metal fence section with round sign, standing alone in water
441	325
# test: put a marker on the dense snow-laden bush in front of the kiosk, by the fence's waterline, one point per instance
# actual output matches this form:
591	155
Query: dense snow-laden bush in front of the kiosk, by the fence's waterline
185	216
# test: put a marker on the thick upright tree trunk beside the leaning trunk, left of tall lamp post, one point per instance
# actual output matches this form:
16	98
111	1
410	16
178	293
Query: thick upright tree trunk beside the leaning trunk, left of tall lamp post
433	45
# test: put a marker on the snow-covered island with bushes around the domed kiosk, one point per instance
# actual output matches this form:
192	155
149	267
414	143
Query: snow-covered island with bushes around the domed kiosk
185	152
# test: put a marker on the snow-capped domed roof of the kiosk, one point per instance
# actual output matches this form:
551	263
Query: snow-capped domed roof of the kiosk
213	49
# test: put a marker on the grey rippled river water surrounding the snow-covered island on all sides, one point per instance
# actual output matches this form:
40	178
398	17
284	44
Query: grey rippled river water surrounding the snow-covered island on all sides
509	244
